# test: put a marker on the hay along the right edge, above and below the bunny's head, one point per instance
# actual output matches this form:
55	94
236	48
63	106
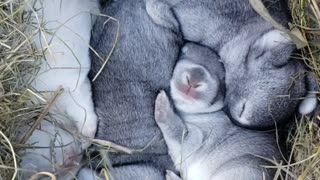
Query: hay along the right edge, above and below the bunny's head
304	137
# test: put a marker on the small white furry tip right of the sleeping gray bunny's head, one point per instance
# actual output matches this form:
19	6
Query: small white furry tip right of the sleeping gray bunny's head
308	104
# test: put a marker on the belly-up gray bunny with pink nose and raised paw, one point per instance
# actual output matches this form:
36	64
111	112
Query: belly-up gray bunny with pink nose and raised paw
203	142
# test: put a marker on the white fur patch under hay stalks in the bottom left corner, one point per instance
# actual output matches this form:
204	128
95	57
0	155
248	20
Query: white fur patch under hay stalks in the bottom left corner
54	150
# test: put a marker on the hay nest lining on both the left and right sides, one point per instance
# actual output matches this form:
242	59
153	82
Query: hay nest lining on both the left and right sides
19	63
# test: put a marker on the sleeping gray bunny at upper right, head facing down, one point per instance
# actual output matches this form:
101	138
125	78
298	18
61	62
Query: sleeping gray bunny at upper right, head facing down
263	83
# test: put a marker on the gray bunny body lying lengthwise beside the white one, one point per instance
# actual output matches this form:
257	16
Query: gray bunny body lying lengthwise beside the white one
124	93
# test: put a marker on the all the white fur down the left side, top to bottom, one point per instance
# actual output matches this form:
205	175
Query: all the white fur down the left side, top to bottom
66	64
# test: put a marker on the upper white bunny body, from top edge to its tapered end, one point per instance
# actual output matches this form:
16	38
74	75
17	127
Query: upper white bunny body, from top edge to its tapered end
67	60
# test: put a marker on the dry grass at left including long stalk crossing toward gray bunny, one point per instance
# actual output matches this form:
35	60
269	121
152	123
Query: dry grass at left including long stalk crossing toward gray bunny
20	106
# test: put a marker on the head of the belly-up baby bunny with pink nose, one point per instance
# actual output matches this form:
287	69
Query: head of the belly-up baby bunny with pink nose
194	87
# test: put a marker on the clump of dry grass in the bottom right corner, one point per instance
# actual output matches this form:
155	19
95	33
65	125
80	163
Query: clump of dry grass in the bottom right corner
305	143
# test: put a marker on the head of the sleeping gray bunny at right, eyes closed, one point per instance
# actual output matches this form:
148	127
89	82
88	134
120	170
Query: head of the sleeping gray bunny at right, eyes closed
263	87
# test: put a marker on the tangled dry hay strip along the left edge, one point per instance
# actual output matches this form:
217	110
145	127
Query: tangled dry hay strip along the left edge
18	65
